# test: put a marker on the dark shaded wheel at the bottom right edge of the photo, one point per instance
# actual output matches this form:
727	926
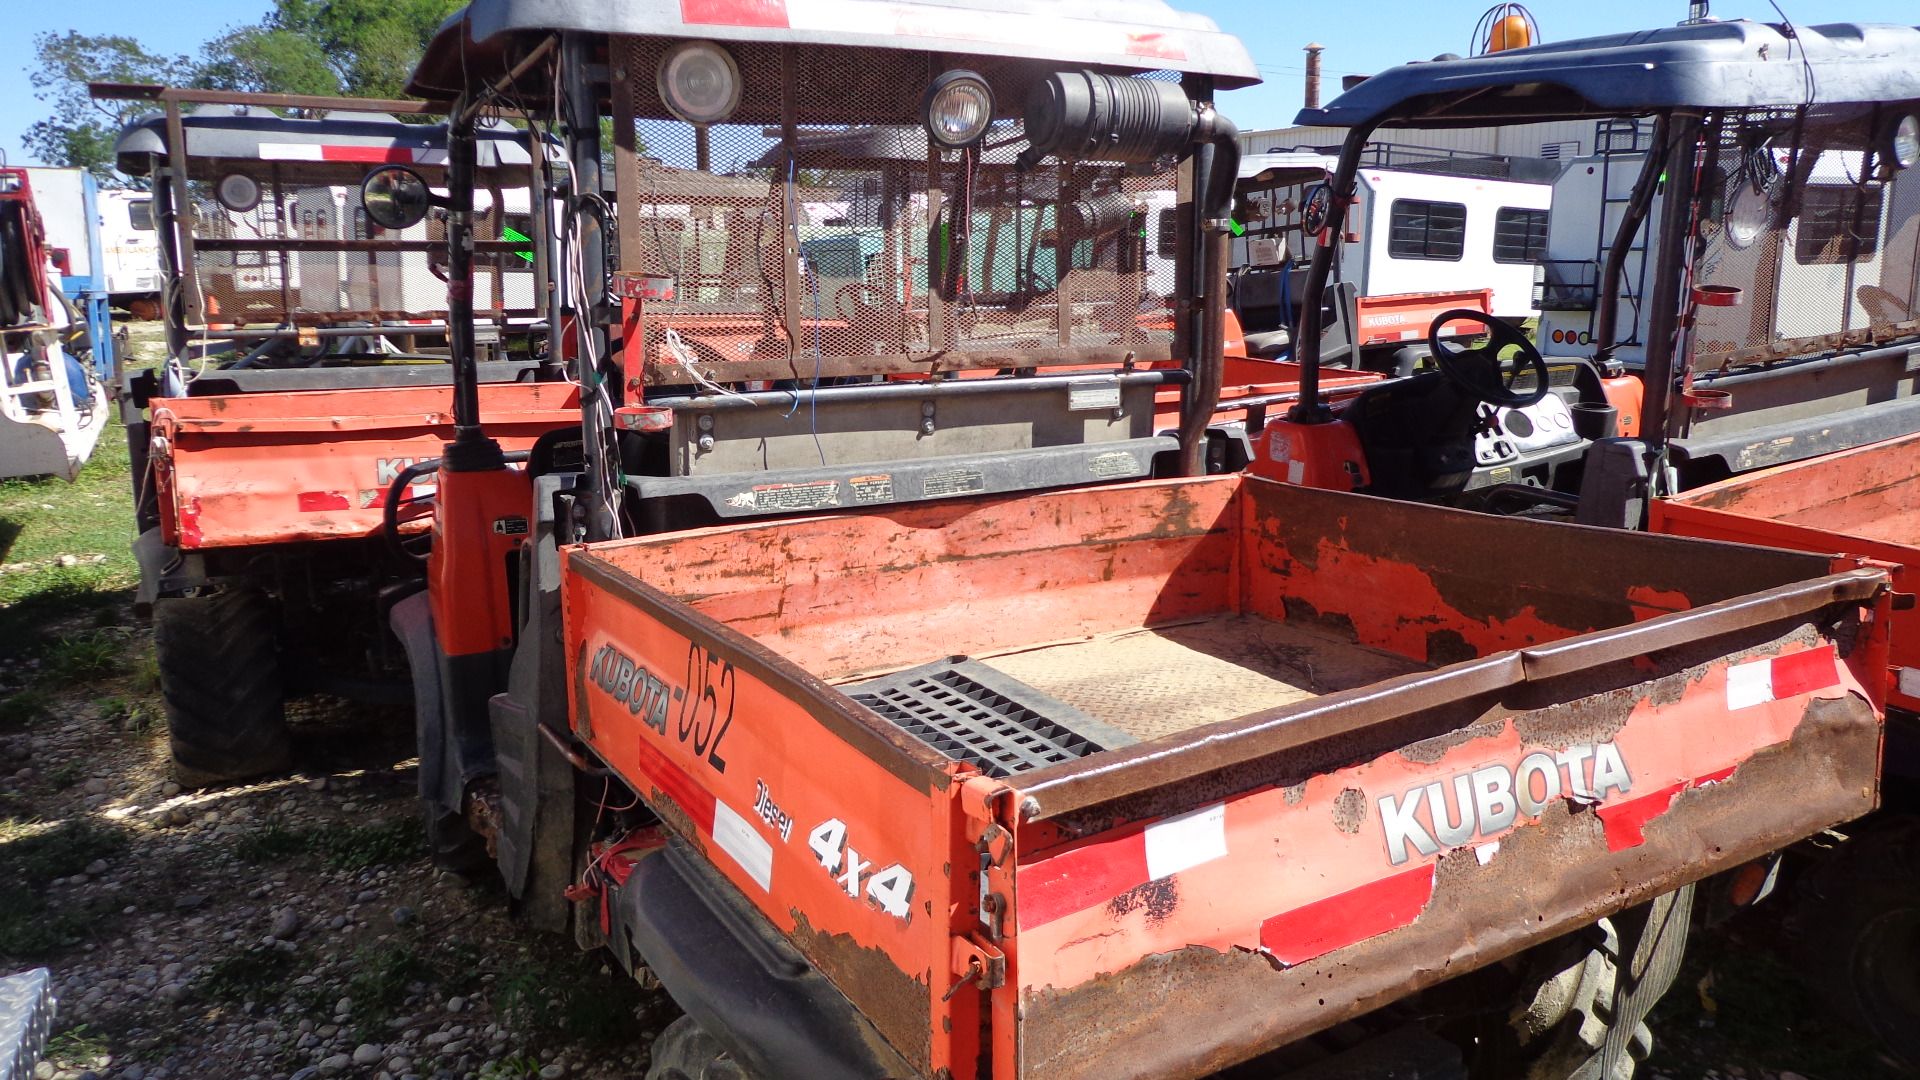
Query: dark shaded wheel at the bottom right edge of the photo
1863	935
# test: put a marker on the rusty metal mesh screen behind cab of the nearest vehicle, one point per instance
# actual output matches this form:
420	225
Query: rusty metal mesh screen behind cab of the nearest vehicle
823	230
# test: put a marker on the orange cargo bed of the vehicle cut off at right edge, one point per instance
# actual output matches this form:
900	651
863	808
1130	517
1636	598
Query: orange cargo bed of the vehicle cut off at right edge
1863	503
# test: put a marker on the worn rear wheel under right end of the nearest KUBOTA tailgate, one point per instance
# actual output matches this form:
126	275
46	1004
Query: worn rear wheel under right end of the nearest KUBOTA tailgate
1581	1002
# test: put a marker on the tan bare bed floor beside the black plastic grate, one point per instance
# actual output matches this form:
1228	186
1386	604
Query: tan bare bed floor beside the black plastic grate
1159	681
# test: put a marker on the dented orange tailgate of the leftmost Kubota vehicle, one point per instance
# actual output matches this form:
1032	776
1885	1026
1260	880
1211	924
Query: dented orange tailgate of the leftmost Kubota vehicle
279	468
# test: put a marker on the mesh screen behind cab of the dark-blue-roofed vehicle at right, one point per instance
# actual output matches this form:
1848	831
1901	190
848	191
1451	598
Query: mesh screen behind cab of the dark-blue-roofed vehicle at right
1821	251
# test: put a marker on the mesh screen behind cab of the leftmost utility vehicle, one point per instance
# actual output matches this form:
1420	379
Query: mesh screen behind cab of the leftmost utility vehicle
308	255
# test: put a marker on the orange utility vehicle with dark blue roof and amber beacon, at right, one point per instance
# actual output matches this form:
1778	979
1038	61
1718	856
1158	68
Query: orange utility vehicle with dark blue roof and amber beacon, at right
1760	268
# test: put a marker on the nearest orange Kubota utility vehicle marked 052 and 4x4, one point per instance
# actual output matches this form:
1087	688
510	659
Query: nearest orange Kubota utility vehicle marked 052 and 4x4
963	727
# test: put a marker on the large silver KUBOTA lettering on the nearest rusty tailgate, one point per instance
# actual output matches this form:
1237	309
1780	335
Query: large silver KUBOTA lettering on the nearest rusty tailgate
1485	802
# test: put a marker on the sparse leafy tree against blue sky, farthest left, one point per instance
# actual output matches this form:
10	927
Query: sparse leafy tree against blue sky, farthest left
82	132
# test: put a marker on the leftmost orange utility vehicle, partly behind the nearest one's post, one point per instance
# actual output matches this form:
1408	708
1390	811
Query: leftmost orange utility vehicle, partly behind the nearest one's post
306	376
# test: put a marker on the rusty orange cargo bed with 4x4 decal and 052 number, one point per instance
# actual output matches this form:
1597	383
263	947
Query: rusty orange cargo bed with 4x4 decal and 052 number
1201	745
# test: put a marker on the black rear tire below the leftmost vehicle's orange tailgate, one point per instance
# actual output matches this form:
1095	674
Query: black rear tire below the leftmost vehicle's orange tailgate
220	677
